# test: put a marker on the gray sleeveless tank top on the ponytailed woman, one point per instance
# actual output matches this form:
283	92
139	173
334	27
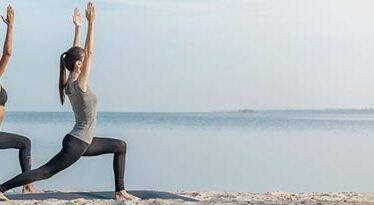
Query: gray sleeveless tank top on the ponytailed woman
84	107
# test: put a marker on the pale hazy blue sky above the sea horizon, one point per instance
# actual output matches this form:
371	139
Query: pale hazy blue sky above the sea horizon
199	55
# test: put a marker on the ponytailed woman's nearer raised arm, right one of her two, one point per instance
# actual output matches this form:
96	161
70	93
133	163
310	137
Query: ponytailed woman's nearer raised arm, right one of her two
85	72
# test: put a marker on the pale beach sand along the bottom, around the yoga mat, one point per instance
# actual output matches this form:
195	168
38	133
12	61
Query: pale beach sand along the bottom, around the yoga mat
338	198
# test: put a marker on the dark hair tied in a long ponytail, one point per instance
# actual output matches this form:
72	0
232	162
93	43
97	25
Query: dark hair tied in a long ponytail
68	60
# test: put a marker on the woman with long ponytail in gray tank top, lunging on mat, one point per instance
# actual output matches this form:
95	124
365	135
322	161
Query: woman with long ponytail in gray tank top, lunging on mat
80	141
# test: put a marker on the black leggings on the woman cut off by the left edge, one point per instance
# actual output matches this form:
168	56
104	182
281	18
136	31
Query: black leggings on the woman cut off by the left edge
14	141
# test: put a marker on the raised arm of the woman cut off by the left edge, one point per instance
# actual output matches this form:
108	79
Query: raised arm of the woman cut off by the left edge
7	48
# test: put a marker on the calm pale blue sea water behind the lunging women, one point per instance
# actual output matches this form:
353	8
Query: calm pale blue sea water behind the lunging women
298	151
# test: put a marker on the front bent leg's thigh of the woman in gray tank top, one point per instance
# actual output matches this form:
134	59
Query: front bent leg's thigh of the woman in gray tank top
101	145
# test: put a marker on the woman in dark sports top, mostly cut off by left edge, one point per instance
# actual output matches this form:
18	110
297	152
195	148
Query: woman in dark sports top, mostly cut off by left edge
9	140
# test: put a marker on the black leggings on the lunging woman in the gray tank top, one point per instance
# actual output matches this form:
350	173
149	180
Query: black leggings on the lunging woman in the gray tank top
72	149
